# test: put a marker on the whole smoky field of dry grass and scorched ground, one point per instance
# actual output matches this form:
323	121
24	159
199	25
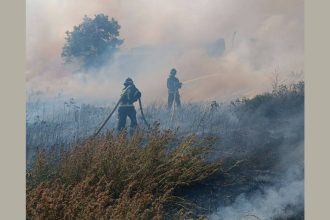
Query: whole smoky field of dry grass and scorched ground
238	160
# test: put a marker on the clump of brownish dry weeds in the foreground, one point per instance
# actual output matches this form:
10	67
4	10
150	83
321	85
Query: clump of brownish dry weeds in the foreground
114	177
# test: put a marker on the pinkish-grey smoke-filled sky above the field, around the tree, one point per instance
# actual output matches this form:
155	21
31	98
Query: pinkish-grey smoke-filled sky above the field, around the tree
163	34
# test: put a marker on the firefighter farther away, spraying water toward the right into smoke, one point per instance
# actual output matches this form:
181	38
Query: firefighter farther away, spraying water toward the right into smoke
173	86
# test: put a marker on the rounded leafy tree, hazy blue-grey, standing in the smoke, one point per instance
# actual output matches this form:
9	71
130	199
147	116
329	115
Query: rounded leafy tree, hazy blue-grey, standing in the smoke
93	42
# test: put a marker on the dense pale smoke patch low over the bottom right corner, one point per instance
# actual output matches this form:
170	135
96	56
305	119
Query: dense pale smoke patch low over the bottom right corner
285	201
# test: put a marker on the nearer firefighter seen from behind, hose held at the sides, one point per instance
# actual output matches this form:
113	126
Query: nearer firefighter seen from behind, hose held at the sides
130	94
